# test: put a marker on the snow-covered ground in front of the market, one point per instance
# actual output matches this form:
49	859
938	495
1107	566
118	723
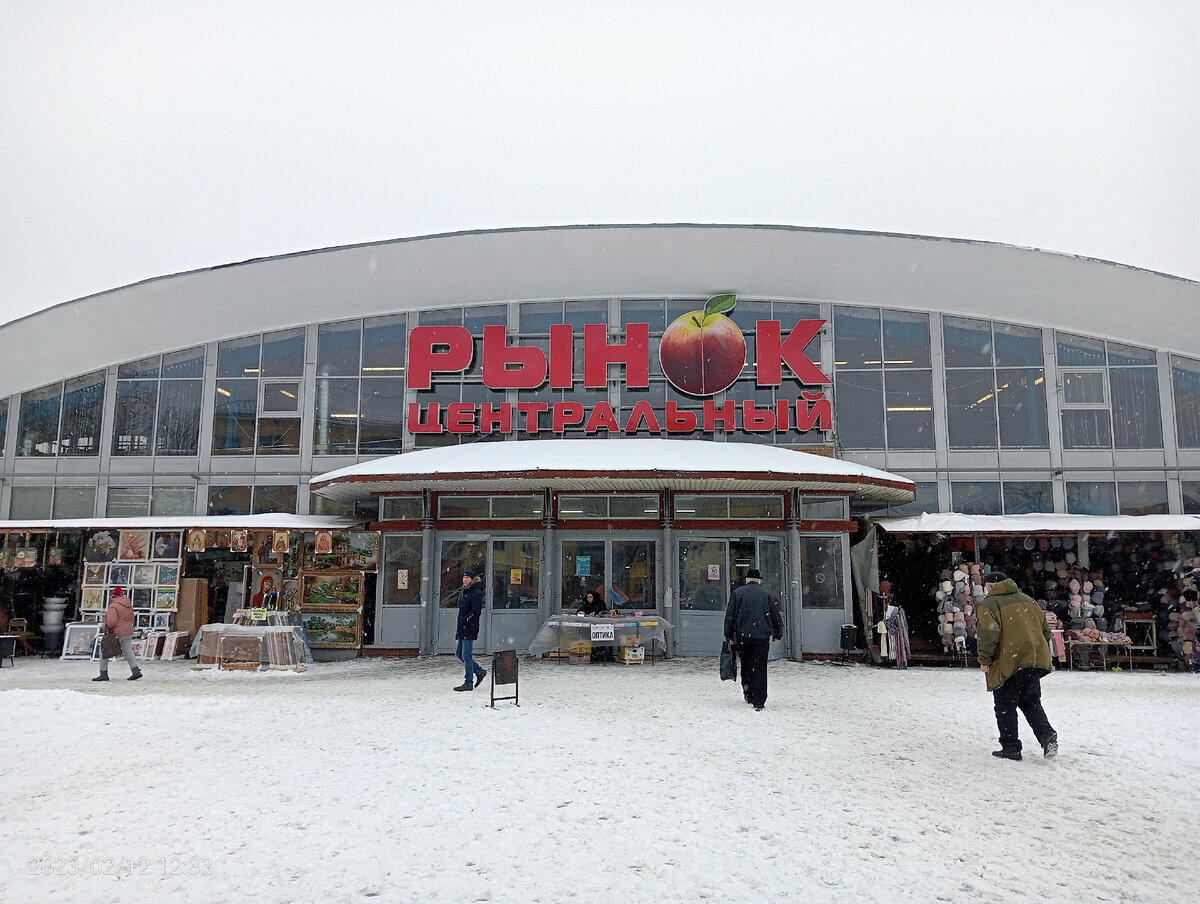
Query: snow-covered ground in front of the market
374	781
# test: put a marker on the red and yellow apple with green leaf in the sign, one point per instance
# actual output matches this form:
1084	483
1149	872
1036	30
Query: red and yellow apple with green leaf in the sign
704	352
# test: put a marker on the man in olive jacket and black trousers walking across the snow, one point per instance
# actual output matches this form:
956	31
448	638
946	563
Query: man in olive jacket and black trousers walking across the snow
1015	654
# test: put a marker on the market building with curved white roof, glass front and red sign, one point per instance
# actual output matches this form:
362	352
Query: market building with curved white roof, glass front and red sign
542	378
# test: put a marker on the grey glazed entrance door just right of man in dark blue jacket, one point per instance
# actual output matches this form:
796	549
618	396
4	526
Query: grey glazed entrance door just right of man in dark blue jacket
513	595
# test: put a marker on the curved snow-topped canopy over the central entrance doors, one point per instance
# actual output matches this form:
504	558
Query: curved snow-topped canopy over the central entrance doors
620	465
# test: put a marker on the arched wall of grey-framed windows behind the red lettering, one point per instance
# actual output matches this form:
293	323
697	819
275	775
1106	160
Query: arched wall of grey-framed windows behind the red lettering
922	387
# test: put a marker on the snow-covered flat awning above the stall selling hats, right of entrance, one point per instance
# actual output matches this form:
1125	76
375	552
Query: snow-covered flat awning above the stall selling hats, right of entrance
952	523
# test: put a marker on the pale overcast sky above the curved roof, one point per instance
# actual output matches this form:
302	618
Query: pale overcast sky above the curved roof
143	139
